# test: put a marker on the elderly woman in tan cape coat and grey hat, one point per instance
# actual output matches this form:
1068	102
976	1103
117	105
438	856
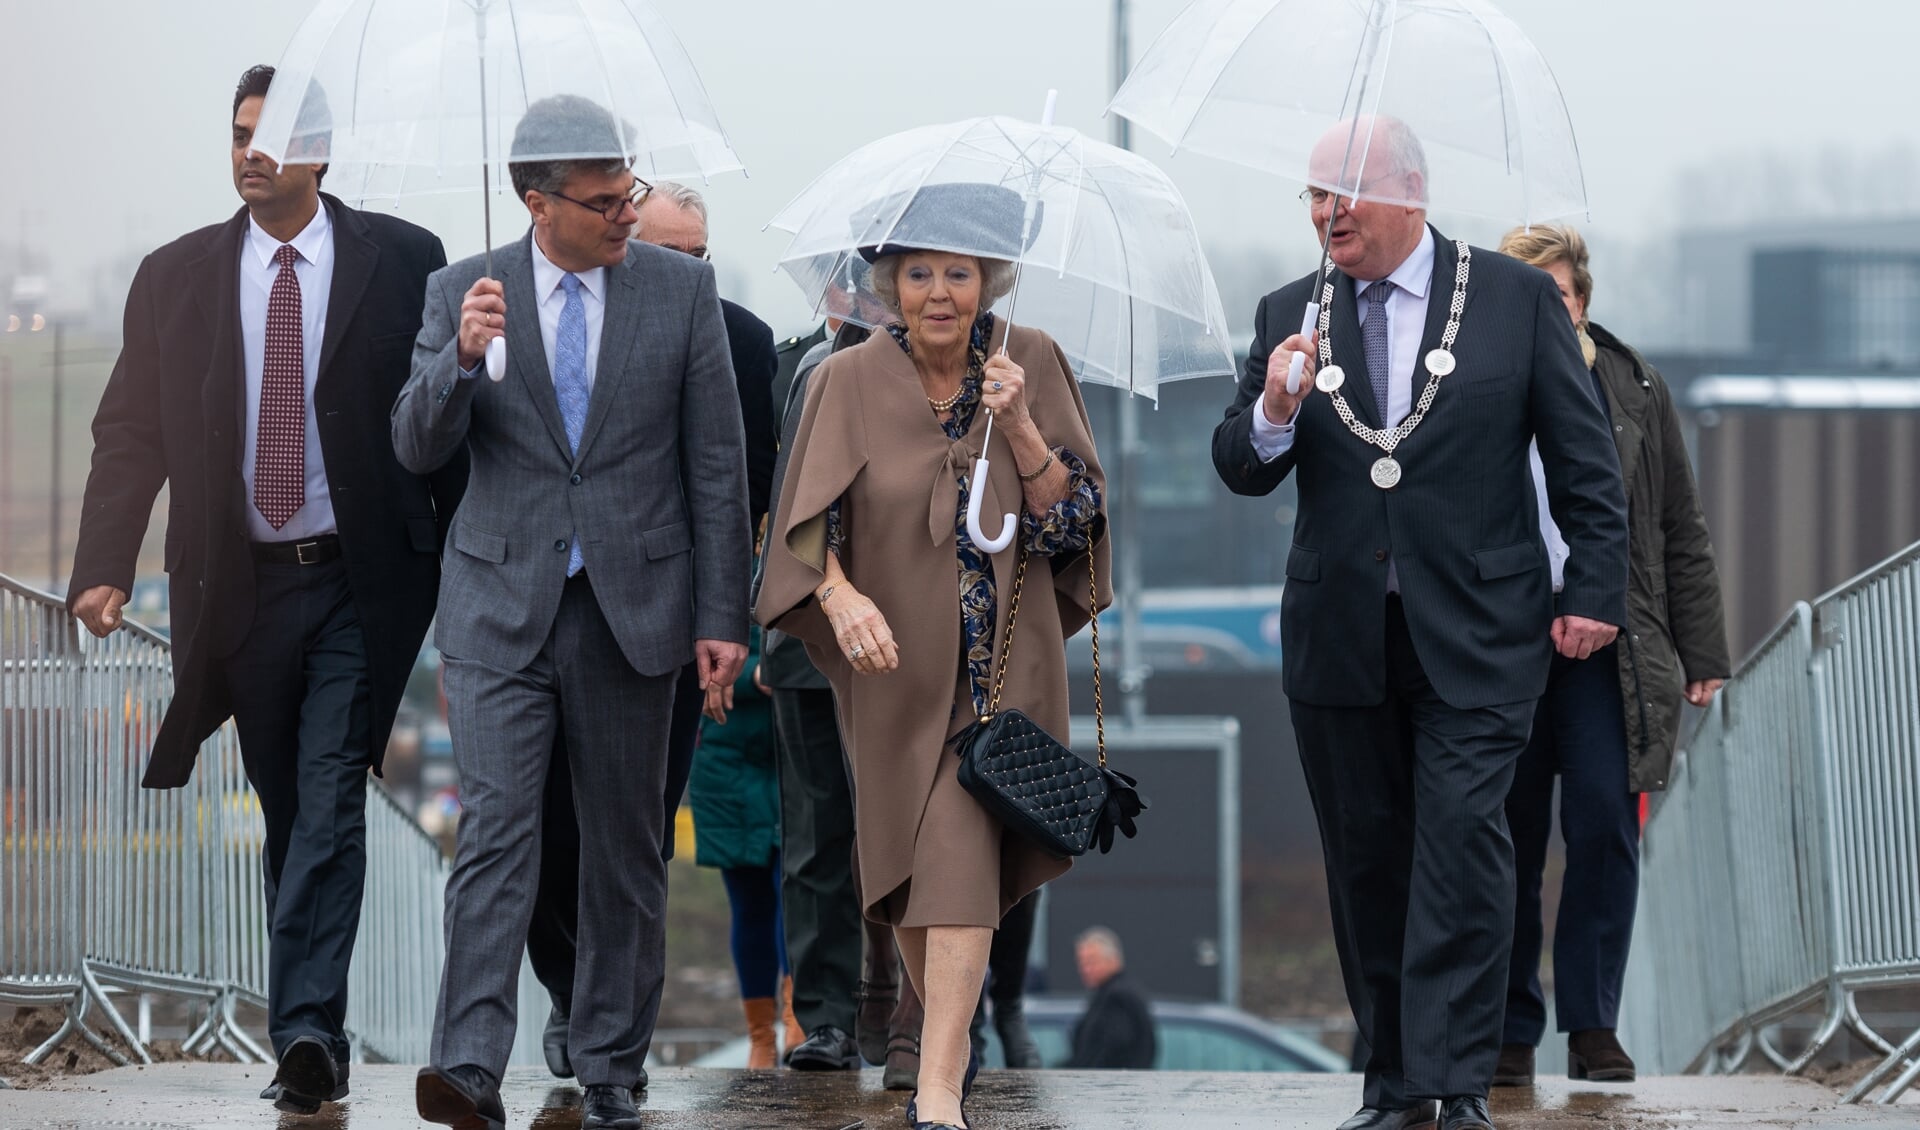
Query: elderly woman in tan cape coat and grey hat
873	567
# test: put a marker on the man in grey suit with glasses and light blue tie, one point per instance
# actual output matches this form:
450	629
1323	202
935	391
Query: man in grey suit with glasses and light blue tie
602	546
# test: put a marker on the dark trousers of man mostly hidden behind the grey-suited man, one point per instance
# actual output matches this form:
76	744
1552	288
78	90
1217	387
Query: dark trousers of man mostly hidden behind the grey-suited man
552	937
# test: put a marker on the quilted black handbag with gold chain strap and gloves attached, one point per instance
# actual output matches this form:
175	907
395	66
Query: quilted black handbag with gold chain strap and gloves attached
1028	780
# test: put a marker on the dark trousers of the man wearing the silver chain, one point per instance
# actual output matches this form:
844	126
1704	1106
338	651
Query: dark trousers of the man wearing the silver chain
1420	872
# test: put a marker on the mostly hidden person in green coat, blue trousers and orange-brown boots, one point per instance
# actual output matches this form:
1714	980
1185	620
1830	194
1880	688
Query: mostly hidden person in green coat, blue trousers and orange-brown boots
736	828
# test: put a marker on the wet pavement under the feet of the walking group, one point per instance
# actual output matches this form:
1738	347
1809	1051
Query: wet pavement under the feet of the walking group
195	1096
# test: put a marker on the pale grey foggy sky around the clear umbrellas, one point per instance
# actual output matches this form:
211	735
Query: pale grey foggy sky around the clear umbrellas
114	112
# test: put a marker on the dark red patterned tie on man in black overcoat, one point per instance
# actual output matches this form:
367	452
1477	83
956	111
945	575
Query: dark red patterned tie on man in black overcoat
281	444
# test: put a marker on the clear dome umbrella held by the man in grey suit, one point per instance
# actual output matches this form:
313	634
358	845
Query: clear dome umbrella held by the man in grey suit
410	97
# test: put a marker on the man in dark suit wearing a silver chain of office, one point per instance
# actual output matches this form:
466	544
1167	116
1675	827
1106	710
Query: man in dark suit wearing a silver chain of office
1420	617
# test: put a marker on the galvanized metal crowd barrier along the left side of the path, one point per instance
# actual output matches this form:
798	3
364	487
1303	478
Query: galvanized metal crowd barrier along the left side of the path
108	887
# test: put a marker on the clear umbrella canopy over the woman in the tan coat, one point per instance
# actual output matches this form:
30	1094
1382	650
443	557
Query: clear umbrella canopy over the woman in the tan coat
1111	262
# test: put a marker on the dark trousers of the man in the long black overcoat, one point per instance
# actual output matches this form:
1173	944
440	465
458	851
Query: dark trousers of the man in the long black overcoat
304	717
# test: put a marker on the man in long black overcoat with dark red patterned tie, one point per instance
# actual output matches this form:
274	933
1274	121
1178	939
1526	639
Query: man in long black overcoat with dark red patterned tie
304	561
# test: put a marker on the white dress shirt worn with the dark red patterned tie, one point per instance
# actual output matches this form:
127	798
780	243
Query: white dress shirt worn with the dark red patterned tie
314	270
